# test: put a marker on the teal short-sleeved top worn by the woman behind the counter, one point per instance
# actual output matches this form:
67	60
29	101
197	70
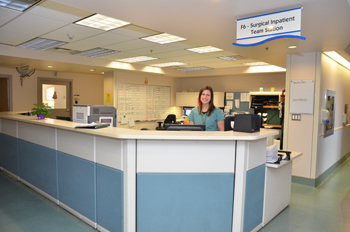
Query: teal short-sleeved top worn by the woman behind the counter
211	122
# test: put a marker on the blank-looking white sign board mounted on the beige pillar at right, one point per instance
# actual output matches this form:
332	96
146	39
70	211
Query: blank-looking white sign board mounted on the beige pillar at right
301	99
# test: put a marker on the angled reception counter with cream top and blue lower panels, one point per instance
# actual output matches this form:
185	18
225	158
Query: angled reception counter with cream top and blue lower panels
127	180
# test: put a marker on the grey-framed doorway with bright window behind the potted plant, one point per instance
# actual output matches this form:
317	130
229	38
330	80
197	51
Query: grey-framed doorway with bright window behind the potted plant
56	94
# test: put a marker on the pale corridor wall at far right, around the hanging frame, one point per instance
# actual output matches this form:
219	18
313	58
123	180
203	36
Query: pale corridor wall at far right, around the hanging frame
332	148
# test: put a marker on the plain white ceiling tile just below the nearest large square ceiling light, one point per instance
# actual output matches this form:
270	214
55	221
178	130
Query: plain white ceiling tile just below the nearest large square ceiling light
101	40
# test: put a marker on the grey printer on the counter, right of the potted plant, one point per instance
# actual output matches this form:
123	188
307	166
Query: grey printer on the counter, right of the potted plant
90	113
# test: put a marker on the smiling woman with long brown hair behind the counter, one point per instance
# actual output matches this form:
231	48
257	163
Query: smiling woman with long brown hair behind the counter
206	113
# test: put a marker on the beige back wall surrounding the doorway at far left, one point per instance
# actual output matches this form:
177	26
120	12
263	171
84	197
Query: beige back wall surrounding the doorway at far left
89	86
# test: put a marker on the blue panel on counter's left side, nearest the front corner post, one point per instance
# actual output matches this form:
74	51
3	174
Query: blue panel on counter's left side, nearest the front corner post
110	198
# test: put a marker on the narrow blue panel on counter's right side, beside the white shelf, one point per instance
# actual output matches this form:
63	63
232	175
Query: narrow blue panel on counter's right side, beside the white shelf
254	198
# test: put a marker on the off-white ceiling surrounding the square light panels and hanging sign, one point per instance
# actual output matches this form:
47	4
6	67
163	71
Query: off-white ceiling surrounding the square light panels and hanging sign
325	24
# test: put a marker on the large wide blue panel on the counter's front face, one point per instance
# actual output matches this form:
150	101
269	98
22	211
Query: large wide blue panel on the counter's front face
193	202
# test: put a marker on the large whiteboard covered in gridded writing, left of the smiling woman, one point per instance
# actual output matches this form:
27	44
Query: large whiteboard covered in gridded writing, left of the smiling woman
143	102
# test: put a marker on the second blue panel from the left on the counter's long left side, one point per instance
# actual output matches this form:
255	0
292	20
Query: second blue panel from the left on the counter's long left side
37	165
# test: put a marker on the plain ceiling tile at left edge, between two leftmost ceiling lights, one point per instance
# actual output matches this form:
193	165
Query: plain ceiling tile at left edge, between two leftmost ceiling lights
32	25
